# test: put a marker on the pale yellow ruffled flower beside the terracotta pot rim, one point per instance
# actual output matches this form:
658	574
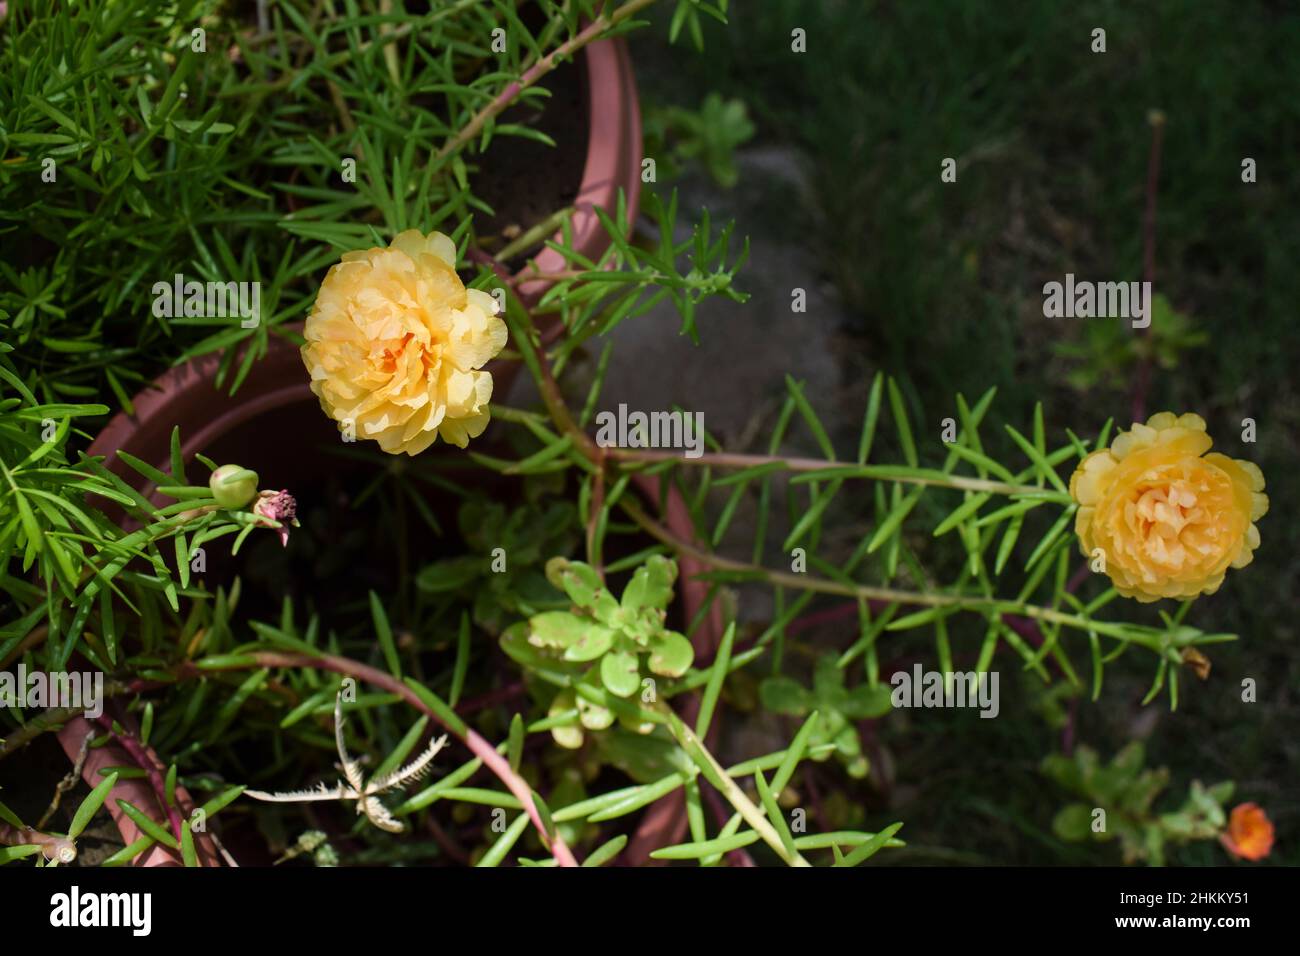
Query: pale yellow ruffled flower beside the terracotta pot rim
396	344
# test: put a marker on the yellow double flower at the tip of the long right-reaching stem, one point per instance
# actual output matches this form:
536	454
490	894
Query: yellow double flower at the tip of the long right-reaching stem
1168	521
